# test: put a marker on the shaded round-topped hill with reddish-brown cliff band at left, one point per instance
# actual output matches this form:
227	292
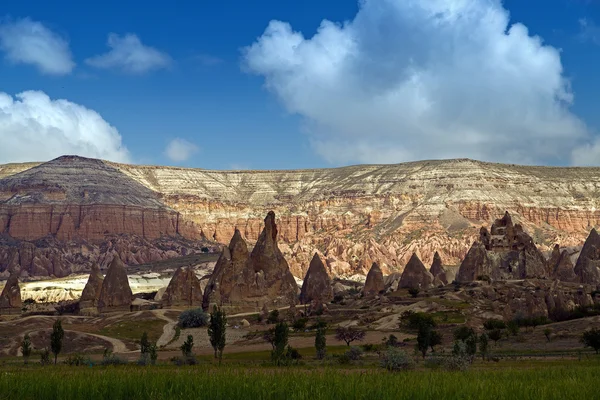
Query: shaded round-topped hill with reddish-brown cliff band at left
62	216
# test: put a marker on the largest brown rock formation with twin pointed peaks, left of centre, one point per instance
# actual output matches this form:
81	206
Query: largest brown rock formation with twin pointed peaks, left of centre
261	279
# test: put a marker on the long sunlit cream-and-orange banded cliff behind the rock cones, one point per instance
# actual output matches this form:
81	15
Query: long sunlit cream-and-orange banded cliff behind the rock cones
370	213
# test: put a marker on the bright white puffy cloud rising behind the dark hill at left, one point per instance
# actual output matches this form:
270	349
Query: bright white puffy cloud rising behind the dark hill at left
34	127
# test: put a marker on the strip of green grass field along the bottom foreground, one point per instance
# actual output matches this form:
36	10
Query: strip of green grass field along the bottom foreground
552	380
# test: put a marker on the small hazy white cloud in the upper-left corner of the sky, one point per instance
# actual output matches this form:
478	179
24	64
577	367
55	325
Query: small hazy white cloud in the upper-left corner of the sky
29	42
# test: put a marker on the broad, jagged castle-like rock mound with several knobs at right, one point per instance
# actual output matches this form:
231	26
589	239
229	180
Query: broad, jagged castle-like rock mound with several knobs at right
505	252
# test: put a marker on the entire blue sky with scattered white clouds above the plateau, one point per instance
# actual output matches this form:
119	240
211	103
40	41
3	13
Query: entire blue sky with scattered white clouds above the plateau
386	87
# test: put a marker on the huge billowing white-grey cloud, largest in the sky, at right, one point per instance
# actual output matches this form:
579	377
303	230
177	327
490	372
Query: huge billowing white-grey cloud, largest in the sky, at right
421	79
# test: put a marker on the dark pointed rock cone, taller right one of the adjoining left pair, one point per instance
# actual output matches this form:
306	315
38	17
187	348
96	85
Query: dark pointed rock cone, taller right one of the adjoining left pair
116	293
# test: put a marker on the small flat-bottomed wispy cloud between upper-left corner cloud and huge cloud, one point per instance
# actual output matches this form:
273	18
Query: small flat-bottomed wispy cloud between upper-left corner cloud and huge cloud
129	54
